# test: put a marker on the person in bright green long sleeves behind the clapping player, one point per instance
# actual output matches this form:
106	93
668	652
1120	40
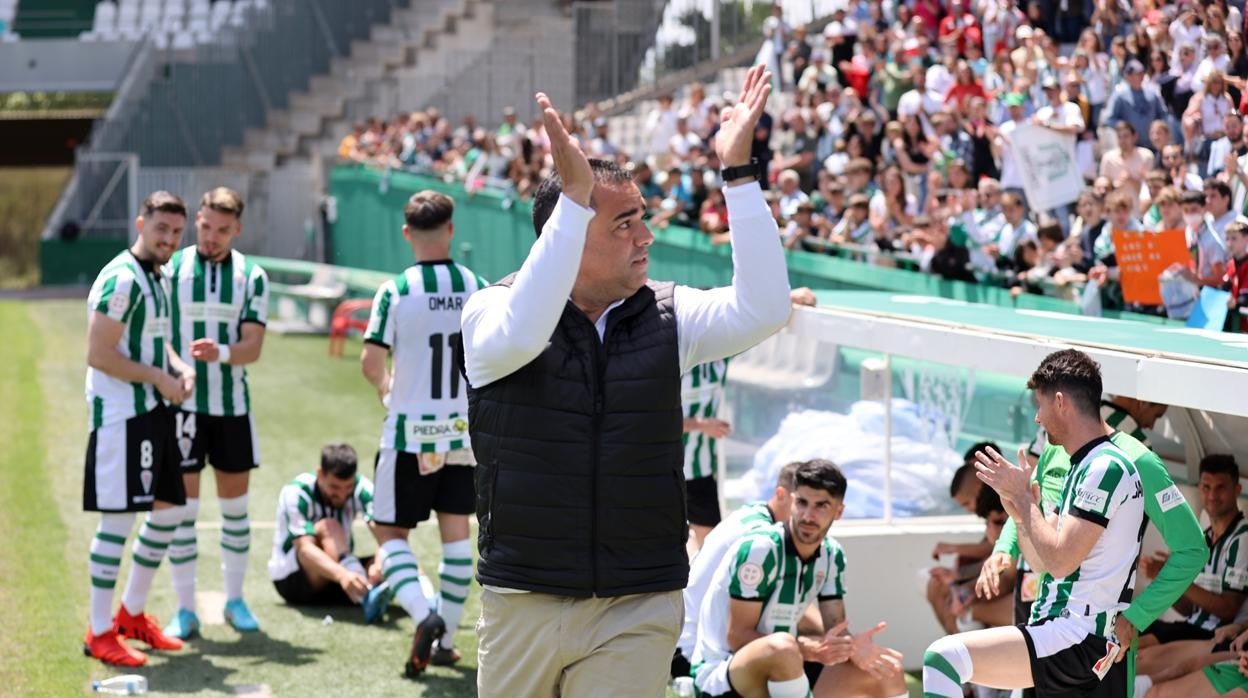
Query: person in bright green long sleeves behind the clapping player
1164	506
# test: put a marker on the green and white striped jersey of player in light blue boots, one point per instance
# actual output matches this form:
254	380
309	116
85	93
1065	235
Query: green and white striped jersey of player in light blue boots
213	302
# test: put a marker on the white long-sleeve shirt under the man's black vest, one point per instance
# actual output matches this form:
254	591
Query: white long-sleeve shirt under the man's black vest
507	328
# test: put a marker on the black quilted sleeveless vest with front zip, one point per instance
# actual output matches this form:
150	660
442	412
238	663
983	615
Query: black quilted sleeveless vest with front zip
580	483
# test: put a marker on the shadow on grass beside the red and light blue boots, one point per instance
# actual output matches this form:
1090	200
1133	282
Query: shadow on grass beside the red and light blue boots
193	672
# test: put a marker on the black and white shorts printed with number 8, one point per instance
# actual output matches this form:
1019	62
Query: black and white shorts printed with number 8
133	464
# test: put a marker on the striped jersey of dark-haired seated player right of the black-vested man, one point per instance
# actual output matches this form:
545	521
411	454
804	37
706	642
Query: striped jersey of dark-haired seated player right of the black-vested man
764	566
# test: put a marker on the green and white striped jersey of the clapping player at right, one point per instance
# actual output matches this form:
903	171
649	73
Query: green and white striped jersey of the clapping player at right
1105	489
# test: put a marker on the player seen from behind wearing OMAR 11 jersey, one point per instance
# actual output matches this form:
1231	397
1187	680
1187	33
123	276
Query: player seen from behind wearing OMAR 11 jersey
425	463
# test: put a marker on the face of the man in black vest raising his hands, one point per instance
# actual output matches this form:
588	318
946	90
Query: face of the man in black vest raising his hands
616	260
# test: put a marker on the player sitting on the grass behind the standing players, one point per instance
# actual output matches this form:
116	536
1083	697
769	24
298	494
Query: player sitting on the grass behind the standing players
314	563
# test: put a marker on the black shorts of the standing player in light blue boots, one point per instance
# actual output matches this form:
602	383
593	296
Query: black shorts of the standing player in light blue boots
228	444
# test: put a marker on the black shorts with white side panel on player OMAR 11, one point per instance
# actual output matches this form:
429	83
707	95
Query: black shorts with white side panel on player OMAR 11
404	498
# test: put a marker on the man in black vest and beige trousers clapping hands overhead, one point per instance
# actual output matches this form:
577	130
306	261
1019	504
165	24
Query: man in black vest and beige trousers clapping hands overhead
575	370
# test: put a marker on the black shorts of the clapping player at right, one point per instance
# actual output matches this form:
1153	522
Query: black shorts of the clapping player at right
1070	672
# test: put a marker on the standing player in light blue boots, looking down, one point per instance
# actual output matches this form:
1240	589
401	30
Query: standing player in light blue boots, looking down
220	308
